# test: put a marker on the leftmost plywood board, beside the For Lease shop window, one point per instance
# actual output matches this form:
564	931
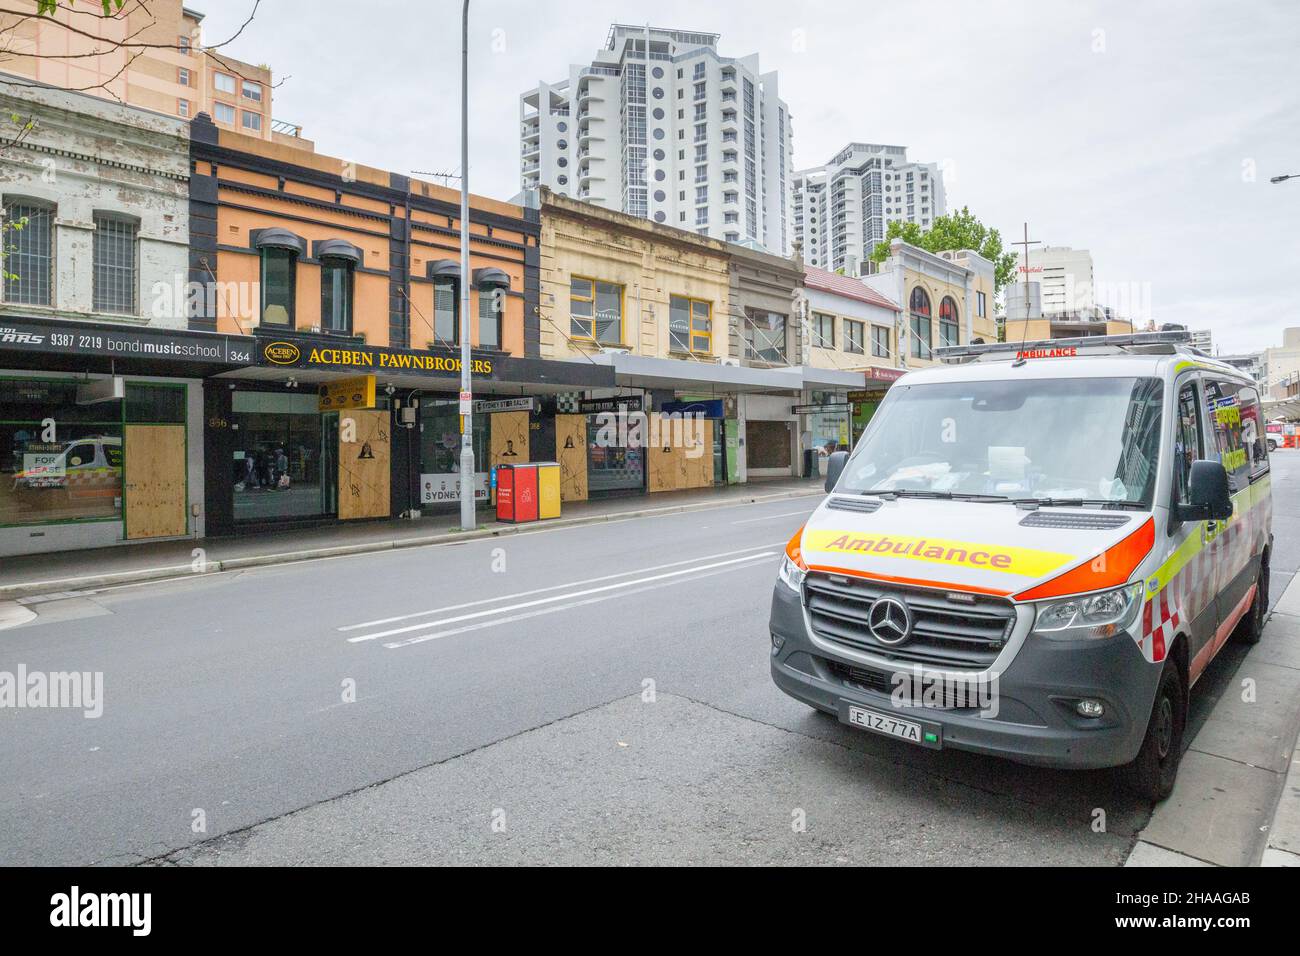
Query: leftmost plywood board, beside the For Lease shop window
154	482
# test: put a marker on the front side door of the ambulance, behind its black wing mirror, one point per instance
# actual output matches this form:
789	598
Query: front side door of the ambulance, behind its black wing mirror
1191	583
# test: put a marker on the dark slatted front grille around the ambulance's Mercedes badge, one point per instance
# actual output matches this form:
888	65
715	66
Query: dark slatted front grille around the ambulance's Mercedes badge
946	633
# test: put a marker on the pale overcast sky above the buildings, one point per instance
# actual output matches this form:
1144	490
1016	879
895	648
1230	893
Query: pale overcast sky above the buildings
1143	132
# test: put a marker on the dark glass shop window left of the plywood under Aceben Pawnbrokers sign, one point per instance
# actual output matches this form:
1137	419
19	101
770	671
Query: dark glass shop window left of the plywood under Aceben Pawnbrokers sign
287	457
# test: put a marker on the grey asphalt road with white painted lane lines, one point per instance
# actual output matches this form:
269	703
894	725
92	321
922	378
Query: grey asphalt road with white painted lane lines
597	694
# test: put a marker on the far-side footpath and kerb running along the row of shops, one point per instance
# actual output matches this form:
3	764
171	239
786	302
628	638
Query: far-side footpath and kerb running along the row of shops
55	574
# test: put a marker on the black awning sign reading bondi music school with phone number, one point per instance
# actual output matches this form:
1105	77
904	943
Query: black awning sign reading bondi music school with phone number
76	339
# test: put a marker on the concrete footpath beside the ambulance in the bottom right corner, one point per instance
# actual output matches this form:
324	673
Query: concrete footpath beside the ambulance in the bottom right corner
1238	797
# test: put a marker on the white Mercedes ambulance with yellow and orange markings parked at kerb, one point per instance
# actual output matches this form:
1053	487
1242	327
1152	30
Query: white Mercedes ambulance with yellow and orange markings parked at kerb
1034	552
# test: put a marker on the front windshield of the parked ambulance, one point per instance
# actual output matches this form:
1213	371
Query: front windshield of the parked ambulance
1097	440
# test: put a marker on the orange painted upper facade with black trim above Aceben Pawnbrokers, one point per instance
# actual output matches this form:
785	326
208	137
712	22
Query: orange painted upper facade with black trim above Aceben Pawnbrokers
400	226
